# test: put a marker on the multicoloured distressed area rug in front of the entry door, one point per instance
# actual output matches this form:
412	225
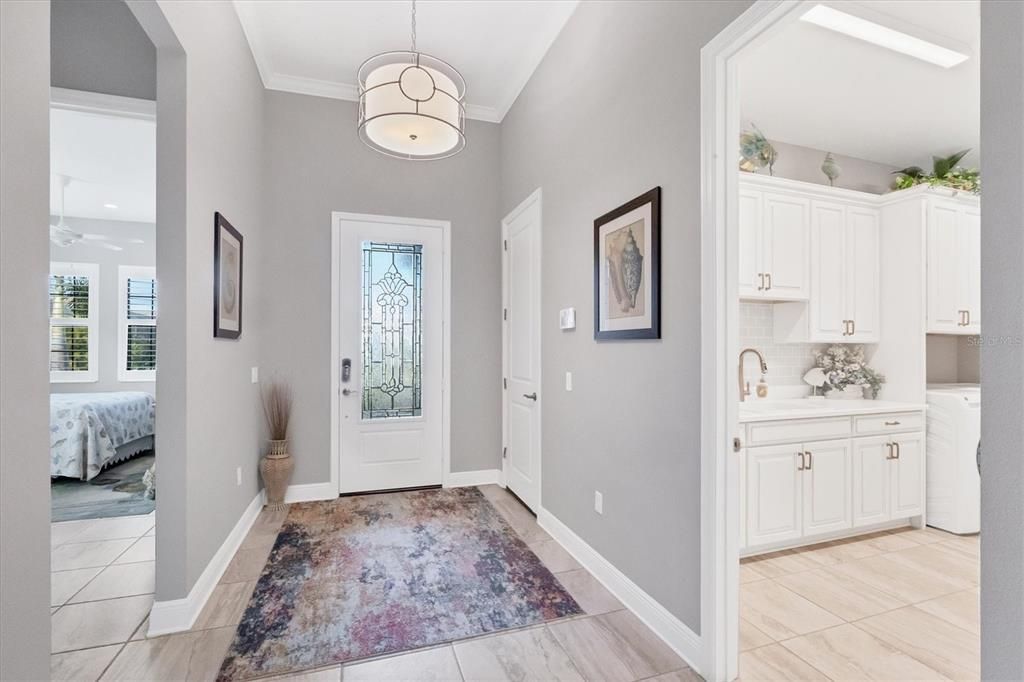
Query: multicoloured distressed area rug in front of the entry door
379	574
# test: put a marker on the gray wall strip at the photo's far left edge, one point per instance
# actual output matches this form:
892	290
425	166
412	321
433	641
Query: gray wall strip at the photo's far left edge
25	495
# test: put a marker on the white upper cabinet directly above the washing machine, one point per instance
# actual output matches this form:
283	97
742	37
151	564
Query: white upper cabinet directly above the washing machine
954	267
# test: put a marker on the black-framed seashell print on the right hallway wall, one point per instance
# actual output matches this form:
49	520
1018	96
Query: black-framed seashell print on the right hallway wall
627	270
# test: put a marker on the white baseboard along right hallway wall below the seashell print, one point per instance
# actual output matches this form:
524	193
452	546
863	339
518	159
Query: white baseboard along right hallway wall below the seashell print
673	631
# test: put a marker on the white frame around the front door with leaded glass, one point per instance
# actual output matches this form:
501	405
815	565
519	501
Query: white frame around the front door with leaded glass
337	220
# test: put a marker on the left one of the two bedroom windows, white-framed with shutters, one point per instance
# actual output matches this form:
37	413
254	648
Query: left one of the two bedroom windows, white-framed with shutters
73	322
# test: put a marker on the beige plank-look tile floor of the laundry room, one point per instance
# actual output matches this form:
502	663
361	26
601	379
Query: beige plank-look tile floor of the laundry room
897	606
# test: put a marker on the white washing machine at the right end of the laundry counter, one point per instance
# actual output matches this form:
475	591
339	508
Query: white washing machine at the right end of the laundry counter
954	448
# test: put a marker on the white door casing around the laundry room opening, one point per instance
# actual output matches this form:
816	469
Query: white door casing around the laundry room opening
720	127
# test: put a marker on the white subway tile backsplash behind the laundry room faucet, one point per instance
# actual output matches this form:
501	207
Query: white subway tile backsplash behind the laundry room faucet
788	363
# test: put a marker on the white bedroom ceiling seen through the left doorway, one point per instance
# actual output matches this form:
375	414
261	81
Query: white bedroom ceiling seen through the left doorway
112	160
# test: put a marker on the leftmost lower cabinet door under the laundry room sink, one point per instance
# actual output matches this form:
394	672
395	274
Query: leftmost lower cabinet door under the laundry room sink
775	487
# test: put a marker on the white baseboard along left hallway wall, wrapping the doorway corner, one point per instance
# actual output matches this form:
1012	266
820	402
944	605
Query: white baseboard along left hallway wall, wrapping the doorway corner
180	615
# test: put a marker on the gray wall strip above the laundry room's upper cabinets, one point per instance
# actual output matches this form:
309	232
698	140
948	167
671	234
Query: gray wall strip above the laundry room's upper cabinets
804	163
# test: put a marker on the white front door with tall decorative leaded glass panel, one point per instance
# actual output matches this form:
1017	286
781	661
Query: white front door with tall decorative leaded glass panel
391	339
